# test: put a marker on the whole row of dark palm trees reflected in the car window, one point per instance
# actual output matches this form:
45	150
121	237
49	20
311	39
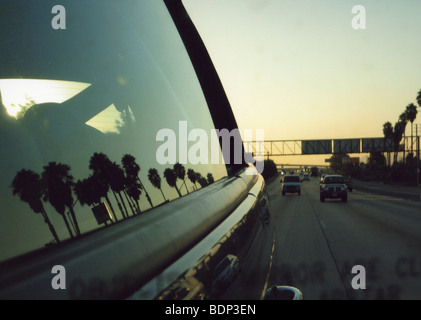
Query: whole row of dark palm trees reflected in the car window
56	185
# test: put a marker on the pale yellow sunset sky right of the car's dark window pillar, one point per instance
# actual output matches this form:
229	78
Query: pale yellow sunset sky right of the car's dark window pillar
299	70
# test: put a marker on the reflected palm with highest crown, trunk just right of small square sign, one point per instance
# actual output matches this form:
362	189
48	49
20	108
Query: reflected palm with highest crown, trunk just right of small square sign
99	164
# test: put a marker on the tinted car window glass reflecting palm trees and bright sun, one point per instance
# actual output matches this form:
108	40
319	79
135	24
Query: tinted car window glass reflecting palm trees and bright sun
80	111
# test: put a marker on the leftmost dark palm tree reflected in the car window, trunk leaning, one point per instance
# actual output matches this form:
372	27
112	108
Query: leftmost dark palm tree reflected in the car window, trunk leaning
28	186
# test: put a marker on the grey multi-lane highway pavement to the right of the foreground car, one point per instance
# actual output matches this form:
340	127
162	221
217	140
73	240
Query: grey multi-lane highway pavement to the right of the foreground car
318	243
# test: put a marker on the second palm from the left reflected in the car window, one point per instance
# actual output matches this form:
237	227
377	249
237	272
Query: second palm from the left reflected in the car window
58	191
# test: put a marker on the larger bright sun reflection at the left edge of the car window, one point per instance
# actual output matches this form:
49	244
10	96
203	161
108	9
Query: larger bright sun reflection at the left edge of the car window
19	95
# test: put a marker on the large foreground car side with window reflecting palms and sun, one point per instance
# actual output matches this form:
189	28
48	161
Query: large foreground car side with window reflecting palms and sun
93	95
